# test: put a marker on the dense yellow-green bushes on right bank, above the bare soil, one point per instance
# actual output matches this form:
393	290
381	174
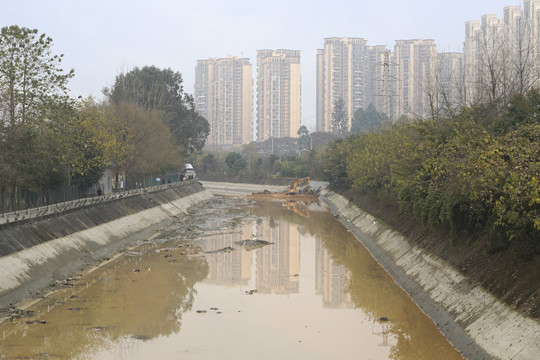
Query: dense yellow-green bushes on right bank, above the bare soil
478	171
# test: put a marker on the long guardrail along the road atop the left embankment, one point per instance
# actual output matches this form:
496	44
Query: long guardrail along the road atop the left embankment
15	216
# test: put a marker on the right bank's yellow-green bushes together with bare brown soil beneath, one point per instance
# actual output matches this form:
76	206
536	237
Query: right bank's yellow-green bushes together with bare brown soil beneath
465	187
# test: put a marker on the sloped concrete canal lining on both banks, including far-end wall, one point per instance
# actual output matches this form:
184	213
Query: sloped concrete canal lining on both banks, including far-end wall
33	253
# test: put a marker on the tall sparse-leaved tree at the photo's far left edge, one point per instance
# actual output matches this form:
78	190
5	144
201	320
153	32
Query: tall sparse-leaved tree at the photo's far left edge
34	110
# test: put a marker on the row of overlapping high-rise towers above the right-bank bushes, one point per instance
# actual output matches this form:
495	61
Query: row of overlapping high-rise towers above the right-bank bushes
500	57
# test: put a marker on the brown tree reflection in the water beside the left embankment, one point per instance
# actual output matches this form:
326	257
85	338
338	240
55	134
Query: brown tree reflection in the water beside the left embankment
141	297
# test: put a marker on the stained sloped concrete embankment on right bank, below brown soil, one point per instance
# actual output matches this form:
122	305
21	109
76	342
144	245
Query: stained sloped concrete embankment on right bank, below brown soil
476	323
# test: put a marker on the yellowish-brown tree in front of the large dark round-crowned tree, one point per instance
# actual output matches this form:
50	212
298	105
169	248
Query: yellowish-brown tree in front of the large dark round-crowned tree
128	138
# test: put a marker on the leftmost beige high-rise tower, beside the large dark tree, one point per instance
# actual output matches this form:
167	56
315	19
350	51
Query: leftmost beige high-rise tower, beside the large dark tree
224	96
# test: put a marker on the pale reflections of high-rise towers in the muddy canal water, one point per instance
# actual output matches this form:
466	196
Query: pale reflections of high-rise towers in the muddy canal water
274	268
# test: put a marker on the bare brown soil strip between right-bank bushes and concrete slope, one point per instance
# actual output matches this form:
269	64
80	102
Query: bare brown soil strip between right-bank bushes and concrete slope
502	273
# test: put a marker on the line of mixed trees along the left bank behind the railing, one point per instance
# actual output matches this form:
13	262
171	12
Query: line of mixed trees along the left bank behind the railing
145	125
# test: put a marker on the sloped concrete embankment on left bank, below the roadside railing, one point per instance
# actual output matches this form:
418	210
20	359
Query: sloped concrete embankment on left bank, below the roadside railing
36	252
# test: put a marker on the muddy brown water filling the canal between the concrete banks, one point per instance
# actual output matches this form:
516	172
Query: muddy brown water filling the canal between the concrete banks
300	287
